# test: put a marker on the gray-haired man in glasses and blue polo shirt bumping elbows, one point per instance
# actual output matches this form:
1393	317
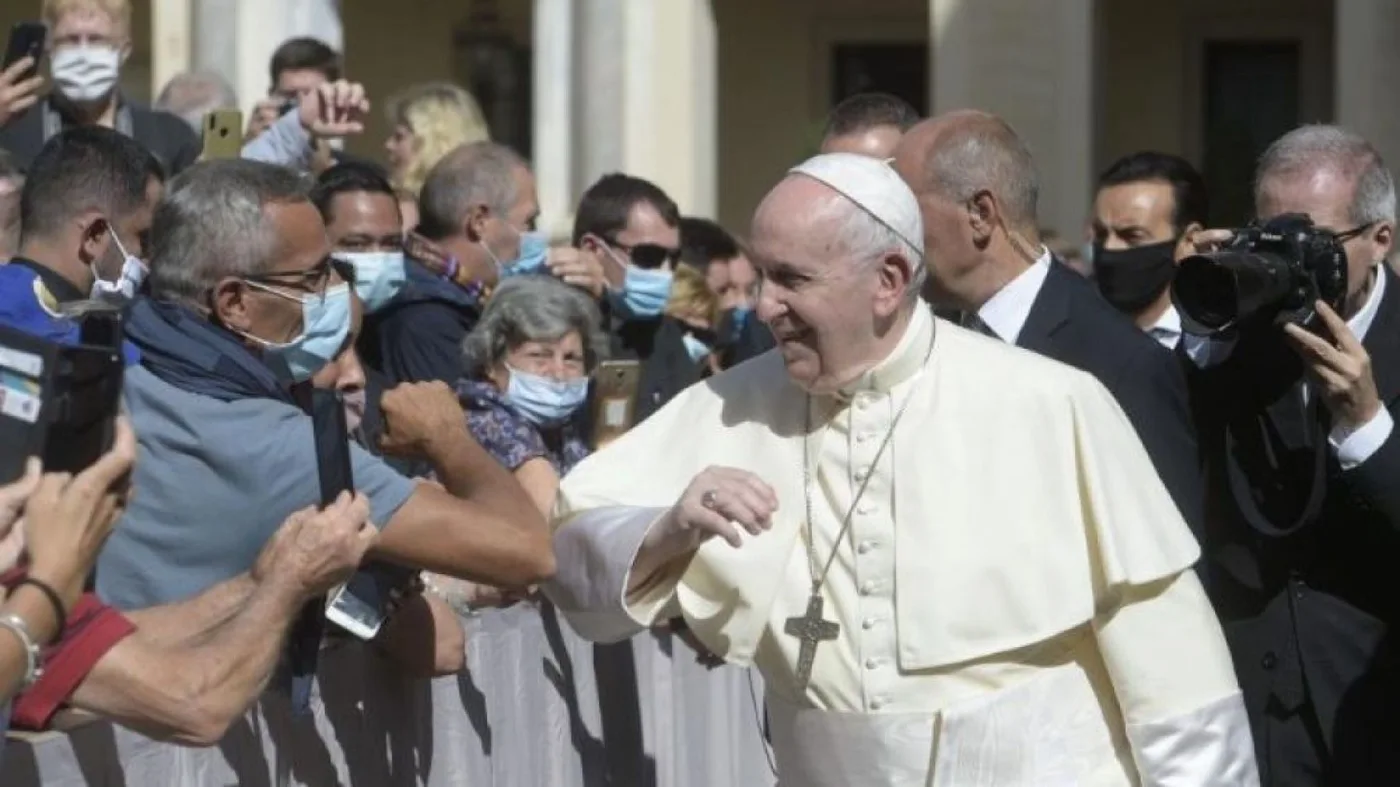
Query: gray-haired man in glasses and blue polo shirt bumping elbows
246	307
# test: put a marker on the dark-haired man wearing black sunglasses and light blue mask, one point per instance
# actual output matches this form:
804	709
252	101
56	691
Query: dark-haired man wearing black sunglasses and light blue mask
635	230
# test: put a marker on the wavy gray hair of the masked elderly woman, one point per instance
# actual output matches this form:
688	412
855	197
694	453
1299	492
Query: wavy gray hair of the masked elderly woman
533	309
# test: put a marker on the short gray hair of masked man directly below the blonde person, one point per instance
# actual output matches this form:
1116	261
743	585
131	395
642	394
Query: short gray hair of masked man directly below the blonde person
479	173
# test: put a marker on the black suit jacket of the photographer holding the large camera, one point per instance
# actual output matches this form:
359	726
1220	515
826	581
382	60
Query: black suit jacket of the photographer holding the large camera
1308	607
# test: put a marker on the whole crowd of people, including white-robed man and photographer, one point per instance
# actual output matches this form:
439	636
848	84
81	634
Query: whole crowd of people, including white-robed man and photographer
895	449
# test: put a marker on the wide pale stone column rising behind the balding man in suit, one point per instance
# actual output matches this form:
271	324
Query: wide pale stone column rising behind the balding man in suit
1032	64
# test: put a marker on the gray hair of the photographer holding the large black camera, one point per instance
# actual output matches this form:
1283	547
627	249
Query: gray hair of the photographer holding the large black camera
1310	149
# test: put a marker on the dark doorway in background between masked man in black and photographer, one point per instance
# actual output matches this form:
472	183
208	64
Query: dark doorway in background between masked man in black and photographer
1252	99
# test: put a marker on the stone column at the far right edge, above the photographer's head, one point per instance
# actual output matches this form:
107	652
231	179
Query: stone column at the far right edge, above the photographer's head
1368	74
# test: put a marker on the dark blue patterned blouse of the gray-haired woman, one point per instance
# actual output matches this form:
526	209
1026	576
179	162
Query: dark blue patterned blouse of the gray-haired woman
510	438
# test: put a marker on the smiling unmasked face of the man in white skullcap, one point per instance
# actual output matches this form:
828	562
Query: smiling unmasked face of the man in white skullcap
825	307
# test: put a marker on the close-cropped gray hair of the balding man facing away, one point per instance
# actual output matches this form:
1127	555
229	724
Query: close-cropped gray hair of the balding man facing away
985	153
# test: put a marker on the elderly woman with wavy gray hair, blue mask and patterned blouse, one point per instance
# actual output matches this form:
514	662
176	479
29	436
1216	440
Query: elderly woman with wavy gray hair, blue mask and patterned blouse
527	376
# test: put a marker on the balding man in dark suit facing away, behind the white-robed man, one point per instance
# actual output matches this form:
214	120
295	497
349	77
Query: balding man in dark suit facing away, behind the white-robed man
978	187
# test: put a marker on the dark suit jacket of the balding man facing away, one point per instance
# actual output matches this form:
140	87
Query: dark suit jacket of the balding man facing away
1072	324
